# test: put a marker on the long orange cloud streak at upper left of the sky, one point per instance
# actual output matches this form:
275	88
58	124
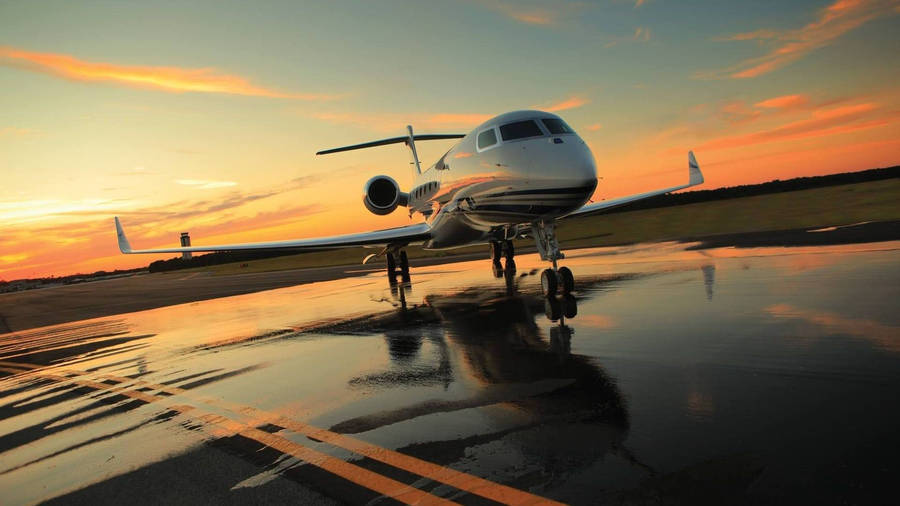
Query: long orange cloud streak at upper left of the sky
170	79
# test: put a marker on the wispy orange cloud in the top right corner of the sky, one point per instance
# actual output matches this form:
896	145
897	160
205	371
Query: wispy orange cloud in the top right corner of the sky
788	46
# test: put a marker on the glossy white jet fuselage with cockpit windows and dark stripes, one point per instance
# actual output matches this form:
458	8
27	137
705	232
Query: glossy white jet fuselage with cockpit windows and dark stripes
481	191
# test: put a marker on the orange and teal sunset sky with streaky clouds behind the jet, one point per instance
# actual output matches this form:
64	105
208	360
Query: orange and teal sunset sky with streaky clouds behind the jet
205	116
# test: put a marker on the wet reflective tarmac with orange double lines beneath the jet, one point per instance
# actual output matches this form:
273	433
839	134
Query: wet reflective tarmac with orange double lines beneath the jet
757	376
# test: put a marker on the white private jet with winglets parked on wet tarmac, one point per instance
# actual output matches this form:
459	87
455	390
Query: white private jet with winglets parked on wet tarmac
514	176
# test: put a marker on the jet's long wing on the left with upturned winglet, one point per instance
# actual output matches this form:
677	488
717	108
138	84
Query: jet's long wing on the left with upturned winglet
392	236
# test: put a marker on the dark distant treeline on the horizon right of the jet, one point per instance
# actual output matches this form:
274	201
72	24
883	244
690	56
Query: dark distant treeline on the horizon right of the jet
776	186
